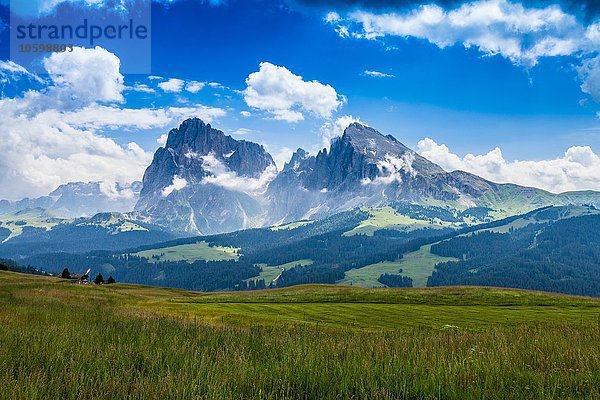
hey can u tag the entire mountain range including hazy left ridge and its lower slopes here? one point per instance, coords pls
(203, 182)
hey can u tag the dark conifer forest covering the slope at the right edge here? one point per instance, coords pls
(562, 256)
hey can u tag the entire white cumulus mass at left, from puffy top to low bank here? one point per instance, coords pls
(53, 136)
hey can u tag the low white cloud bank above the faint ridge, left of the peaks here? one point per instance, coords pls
(40, 152)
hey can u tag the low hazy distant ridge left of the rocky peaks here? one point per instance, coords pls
(80, 199)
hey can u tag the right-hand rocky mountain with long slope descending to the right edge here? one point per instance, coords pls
(366, 168)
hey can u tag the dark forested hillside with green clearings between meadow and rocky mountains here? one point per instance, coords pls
(369, 248)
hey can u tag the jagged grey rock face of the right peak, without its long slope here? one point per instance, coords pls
(362, 168)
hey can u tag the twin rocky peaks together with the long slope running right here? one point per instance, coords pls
(204, 182)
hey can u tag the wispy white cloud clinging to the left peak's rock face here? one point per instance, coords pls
(220, 175)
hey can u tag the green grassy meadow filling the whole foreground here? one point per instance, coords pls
(59, 340)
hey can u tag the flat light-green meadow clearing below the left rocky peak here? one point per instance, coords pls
(191, 253)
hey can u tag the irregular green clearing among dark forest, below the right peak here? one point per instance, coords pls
(418, 265)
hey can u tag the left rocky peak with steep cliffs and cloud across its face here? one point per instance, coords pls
(190, 185)
